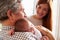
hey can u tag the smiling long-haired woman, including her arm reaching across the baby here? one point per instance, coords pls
(43, 17)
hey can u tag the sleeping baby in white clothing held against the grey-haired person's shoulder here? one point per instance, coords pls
(23, 25)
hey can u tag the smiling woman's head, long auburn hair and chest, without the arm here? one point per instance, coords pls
(43, 14)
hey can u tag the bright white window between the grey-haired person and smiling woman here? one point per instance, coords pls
(28, 6)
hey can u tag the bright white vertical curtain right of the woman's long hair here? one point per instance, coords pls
(55, 18)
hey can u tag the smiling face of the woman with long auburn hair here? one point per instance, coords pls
(42, 10)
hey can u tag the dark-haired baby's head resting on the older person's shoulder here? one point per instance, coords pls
(22, 25)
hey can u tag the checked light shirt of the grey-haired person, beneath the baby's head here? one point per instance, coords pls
(17, 36)
